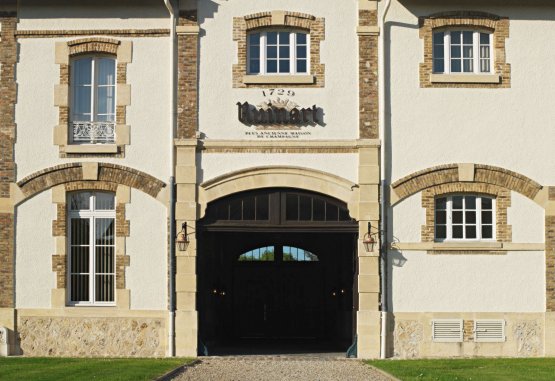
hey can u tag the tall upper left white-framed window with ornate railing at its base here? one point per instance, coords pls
(93, 100)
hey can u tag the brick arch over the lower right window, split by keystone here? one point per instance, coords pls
(450, 173)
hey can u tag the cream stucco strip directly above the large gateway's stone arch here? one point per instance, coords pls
(217, 164)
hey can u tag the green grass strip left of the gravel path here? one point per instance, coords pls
(75, 369)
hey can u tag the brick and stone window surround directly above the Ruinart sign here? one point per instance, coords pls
(314, 26)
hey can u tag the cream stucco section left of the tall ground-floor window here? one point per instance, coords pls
(35, 245)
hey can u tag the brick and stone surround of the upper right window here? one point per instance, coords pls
(499, 26)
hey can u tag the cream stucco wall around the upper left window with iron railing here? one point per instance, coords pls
(148, 115)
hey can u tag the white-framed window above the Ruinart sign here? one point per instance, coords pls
(278, 52)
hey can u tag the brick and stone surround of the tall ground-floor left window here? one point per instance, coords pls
(59, 232)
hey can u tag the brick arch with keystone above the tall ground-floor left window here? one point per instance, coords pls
(76, 172)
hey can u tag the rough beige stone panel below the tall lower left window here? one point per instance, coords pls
(92, 337)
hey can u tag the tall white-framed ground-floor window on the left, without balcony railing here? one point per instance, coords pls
(91, 231)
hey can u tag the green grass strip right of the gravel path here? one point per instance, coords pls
(482, 369)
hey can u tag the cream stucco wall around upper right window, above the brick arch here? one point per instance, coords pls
(510, 128)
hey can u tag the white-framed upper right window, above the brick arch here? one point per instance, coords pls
(462, 52)
